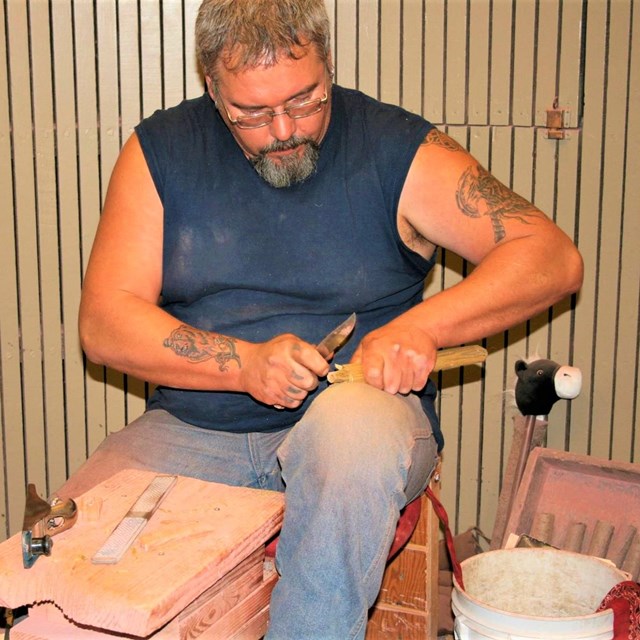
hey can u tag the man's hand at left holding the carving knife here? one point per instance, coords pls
(282, 371)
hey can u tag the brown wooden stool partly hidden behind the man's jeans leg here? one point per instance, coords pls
(407, 606)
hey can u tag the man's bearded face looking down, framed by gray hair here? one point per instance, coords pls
(285, 151)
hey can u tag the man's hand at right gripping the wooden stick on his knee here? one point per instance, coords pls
(397, 358)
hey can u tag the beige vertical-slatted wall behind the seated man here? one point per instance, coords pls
(75, 76)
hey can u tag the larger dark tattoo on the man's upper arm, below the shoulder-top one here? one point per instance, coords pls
(481, 194)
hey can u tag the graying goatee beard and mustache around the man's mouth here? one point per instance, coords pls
(287, 170)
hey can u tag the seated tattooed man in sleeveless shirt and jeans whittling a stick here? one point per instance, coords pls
(238, 229)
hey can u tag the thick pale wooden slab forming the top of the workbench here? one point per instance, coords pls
(199, 533)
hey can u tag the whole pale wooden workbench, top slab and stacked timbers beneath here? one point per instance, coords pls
(195, 571)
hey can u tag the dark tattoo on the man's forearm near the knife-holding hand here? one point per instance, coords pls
(198, 346)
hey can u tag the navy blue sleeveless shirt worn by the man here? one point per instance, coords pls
(251, 261)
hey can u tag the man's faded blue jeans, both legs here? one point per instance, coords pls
(347, 468)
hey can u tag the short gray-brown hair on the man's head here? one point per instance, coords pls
(247, 33)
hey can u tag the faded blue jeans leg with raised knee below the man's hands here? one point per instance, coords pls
(350, 465)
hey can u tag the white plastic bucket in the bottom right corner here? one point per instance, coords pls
(524, 594)
